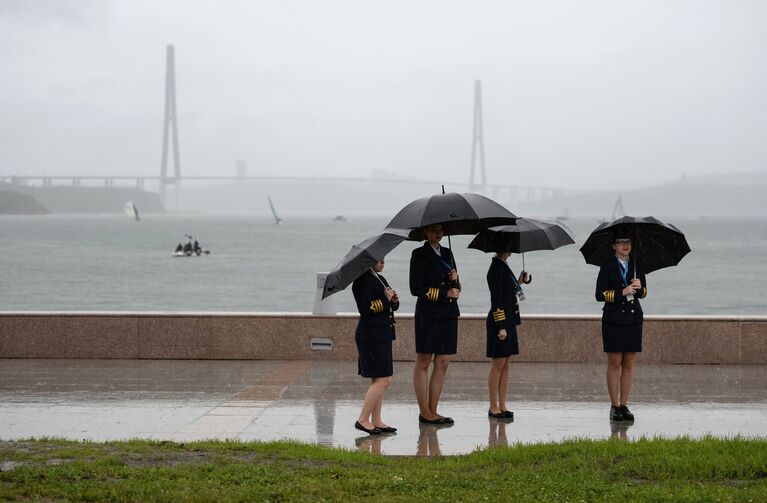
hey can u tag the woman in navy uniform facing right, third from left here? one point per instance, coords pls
(502, 321)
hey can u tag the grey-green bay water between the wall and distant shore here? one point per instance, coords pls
(112, 263)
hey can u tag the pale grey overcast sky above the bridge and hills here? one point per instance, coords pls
(579, 94)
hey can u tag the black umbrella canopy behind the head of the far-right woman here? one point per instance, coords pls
(655, 244)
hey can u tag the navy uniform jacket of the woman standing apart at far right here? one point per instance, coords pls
(610, 285)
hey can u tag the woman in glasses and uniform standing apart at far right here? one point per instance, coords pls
(620, 285)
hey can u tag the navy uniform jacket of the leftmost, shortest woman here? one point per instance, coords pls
(376, 322)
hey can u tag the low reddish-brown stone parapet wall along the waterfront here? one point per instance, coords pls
(288, 336)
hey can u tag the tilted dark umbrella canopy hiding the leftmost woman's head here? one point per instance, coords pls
(362, 257)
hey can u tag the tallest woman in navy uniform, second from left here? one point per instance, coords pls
(434, 281)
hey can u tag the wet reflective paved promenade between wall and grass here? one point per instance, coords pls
(318, 402)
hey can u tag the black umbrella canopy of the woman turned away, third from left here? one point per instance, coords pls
(524, 236)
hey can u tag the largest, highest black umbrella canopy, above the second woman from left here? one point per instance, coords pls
(466, 213)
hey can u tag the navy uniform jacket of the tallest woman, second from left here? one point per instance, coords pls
(429, 282)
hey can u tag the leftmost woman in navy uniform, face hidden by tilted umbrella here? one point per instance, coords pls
(376, 303)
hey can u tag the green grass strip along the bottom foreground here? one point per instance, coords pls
(710, 469)
